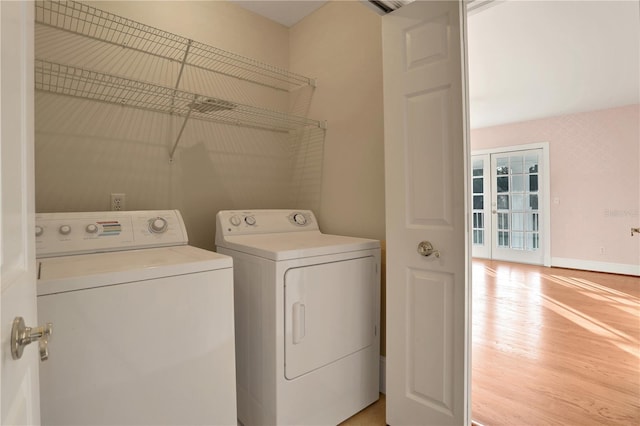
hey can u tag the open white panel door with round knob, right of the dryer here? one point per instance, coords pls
(426, 174)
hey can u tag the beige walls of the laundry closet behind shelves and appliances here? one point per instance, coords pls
(85, 150)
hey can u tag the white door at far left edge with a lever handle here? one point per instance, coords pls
(19, 378)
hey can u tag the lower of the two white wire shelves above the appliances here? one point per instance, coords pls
(82, 83)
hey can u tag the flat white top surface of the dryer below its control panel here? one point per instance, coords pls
(296, 245)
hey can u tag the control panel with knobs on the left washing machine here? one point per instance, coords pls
(59, 234)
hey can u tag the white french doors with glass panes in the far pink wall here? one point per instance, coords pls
(509, 205)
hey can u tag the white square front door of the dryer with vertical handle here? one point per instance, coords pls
(329, 313)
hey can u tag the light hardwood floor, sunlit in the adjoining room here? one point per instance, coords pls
(550, 347)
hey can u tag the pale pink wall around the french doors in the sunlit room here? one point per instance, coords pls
(595, 179)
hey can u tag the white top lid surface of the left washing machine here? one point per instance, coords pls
(68, 273)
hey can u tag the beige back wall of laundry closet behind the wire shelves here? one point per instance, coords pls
(86, 150)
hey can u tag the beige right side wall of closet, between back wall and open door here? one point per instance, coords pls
(341, 45)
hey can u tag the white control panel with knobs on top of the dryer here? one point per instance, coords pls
(232, 222)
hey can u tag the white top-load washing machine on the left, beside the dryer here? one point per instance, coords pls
(142, 322)
